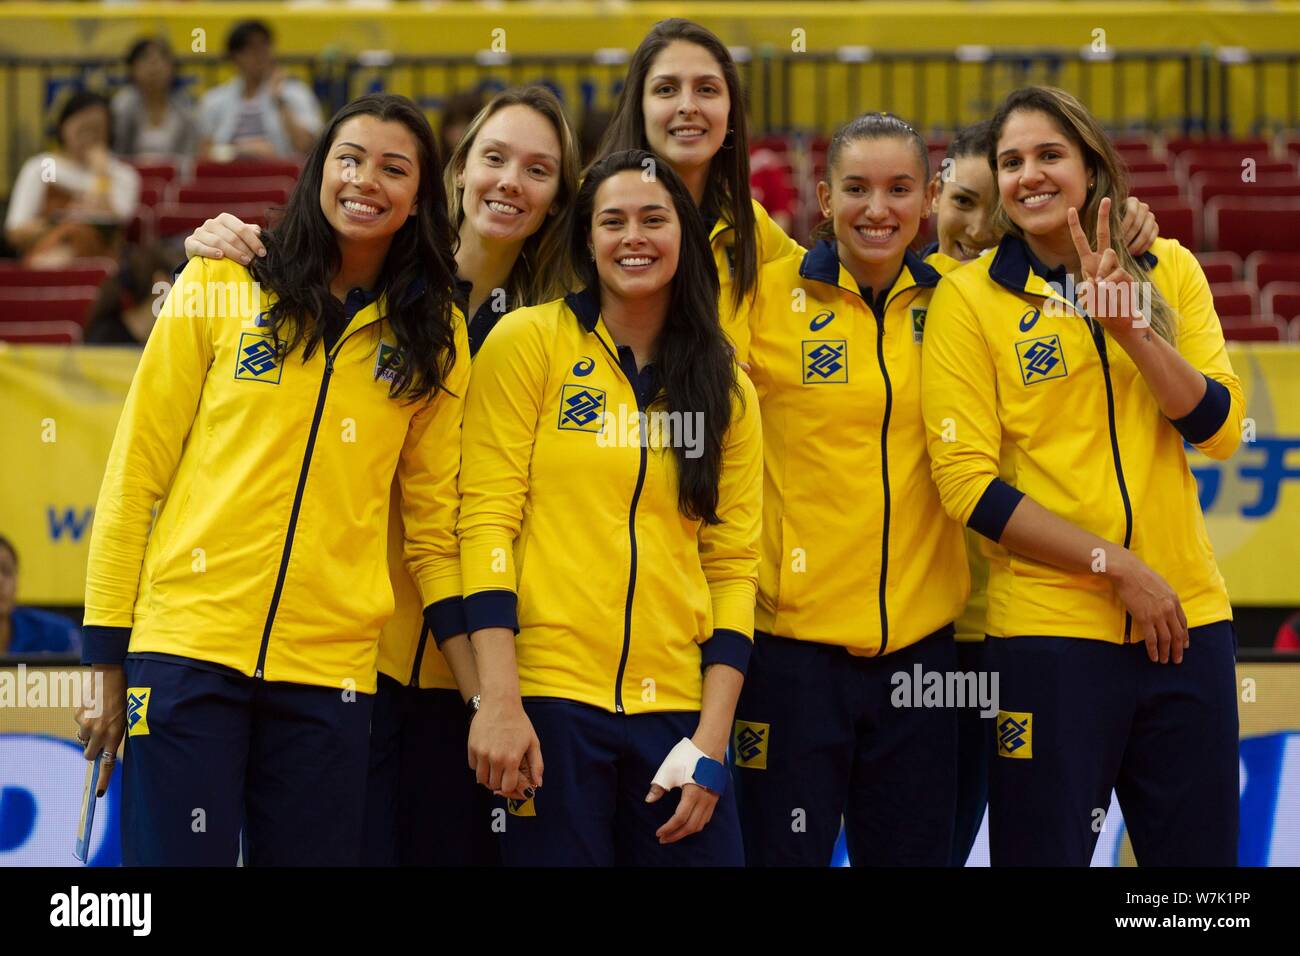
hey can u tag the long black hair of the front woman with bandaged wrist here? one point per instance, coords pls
(694, 361)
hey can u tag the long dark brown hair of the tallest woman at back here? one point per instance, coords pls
(727, 189)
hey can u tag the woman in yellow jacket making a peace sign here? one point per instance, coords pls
(1060, 380)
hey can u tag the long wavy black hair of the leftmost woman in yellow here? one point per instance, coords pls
(418, 274)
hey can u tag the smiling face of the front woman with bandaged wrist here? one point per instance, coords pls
(636, 236)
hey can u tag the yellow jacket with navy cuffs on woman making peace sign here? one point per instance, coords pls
(1025, 396)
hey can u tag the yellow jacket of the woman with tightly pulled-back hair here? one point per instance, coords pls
(857, 548)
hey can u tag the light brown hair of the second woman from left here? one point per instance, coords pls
(543, 270)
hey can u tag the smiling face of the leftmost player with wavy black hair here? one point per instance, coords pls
(371, 181)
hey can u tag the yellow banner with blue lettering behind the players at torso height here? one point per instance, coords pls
(62, 408)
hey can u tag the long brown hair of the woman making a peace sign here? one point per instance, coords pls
(1110, 181)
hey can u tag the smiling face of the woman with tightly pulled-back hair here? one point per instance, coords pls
(876, 201)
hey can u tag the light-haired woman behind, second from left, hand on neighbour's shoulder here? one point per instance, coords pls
(510, 185)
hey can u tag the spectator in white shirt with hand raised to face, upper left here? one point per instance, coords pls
(261, 114)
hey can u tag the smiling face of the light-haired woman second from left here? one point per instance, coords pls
(512, 176)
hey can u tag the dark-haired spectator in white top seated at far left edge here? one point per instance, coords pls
(75, 201)
